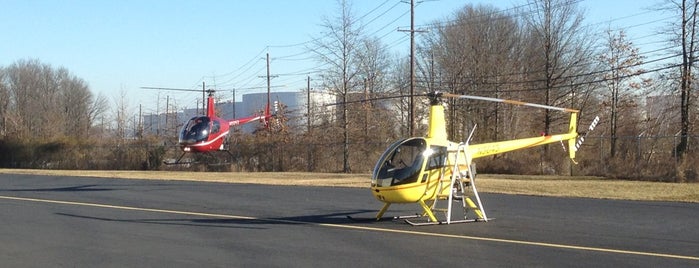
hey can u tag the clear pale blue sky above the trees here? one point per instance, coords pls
(120, 46)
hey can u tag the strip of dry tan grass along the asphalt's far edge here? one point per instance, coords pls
(593, 187)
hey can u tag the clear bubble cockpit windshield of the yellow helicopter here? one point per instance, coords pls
(401, 163)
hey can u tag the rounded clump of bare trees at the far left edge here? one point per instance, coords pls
(44, 112)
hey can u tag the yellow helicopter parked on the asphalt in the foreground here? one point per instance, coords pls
(431, 170)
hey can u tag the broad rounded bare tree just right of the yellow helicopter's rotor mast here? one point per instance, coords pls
(478, 52)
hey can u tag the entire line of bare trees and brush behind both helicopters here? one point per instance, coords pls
(541, 52)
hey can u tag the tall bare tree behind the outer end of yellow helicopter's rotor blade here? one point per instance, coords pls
(560, 50)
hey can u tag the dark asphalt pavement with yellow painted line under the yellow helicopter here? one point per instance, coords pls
(93, 222)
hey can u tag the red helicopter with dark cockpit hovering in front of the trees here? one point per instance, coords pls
(208, 133)
